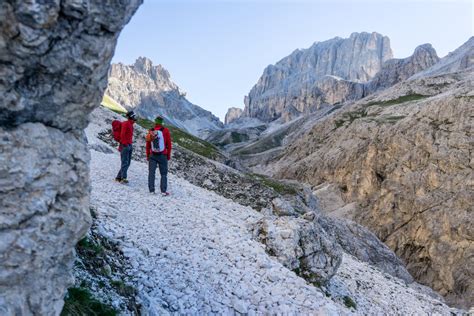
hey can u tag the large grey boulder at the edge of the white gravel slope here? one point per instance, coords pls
(301, 246)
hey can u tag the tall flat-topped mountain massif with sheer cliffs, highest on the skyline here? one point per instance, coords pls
(327, 72)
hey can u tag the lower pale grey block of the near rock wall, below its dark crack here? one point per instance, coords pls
(44, 198)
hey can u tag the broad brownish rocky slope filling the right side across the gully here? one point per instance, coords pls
(401, 163)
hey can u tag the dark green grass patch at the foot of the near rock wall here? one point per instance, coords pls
(79, 301)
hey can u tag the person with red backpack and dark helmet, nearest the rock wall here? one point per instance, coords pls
(125, 148)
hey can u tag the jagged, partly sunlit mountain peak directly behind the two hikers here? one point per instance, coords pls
(149, 91)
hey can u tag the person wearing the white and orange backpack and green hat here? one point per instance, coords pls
(158, 152)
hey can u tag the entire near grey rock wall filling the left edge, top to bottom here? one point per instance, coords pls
(54, 58)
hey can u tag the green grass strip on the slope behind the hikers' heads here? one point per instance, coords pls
(187, 140)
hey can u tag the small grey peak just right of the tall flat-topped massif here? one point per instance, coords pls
(397, 70)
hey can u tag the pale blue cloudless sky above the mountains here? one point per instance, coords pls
(217, 50)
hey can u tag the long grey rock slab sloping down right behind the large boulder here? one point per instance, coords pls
(364, 245)
